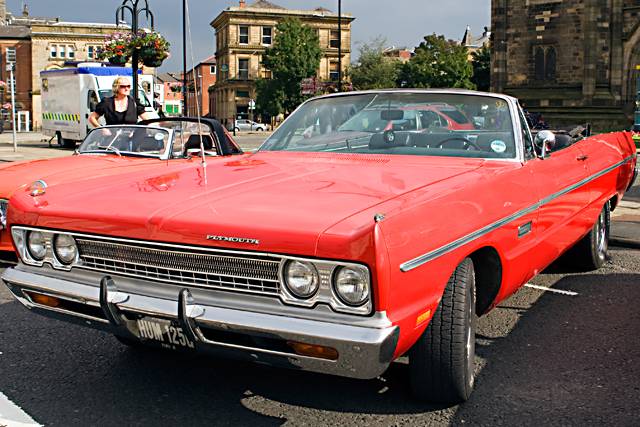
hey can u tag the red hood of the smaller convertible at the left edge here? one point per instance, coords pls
(65, 169)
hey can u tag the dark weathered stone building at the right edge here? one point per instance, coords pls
(572, 60)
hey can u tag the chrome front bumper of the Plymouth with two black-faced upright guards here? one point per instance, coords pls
(365, 350)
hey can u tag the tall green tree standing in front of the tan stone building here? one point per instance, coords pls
(295, 55)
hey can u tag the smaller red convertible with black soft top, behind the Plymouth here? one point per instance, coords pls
(118, 150)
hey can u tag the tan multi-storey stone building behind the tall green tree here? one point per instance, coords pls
(244, 32)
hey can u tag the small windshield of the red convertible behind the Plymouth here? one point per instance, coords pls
(127, 140)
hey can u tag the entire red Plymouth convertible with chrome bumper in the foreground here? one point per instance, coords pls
(334, 252)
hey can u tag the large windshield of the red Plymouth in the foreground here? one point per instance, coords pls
(406, 123)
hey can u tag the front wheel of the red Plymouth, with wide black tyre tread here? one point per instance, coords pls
(441, 362)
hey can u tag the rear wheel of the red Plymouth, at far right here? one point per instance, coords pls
(591, 252)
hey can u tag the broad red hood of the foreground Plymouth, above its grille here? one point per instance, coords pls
(283, 200)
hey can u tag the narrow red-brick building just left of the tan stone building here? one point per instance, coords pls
(200, 82)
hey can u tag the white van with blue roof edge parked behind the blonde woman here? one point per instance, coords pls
(69, 95)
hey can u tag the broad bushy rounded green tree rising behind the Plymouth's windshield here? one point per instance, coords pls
(437, 63)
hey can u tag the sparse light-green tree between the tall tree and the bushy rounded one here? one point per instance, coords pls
(374, 70)
